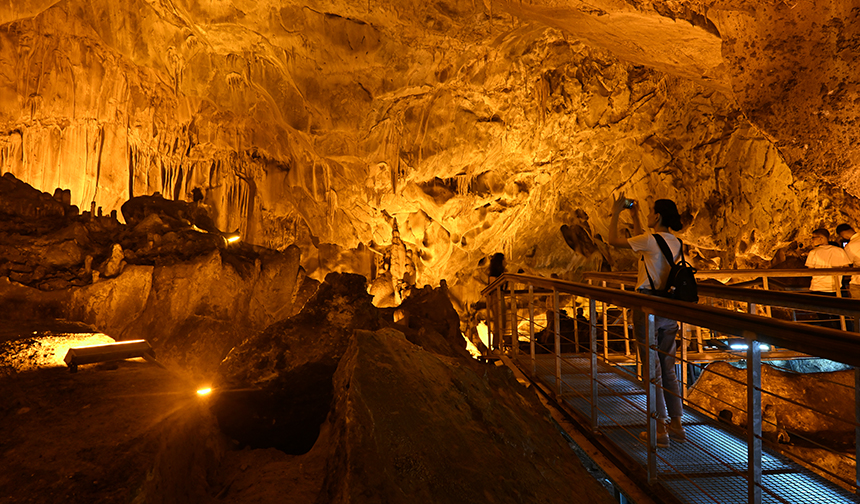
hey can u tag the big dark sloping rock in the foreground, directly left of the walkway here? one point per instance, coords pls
(430, 428)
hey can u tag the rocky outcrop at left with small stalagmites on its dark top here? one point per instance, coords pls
(188, 292)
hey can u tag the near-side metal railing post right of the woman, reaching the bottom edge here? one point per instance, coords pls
(753, 419)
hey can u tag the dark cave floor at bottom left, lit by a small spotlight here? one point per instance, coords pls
(111, 432)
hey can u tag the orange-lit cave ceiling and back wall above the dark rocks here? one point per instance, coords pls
(477, 125)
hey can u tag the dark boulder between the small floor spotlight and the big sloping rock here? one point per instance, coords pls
(275, 389)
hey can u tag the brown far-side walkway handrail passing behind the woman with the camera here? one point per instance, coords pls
(801, 301)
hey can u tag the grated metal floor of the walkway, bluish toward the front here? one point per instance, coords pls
(690, 471)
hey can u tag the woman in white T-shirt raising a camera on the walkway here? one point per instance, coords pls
(653, 274)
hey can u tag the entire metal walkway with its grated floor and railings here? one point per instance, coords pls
(720, 463)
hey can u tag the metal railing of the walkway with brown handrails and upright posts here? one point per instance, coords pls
(508, 293)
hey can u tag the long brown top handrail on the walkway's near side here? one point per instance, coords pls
(823, 342)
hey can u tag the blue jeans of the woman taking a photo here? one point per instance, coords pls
(663, 370)
